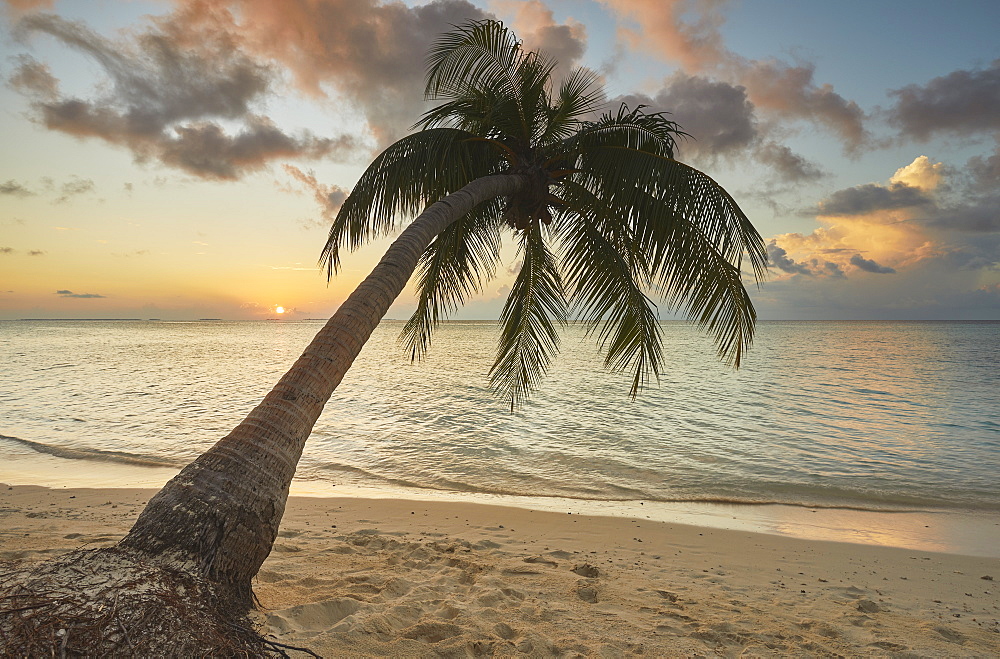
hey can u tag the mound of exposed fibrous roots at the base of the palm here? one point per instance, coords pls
(114, 602)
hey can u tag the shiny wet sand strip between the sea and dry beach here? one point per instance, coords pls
(973, 533)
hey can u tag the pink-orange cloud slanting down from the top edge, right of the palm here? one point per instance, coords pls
(688, 33)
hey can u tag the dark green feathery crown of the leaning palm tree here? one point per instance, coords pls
(605, 217)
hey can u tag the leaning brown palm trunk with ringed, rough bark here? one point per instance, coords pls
(220, 514)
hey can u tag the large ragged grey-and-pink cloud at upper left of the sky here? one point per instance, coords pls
(170, 86)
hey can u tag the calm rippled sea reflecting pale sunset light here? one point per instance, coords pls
(870, 415)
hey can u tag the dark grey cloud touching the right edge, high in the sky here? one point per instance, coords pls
(961, 103)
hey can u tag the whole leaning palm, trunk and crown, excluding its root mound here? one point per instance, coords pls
(603, 215)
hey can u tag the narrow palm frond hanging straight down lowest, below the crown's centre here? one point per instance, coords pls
(528, 337)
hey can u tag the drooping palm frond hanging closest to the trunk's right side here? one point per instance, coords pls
(451, 269)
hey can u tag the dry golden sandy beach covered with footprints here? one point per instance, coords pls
(352, 577)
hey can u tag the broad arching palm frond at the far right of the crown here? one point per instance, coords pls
(692, 234)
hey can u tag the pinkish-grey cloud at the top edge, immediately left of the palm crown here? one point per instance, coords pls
(367, 52)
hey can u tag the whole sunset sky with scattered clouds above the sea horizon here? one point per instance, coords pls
(182, 159)
